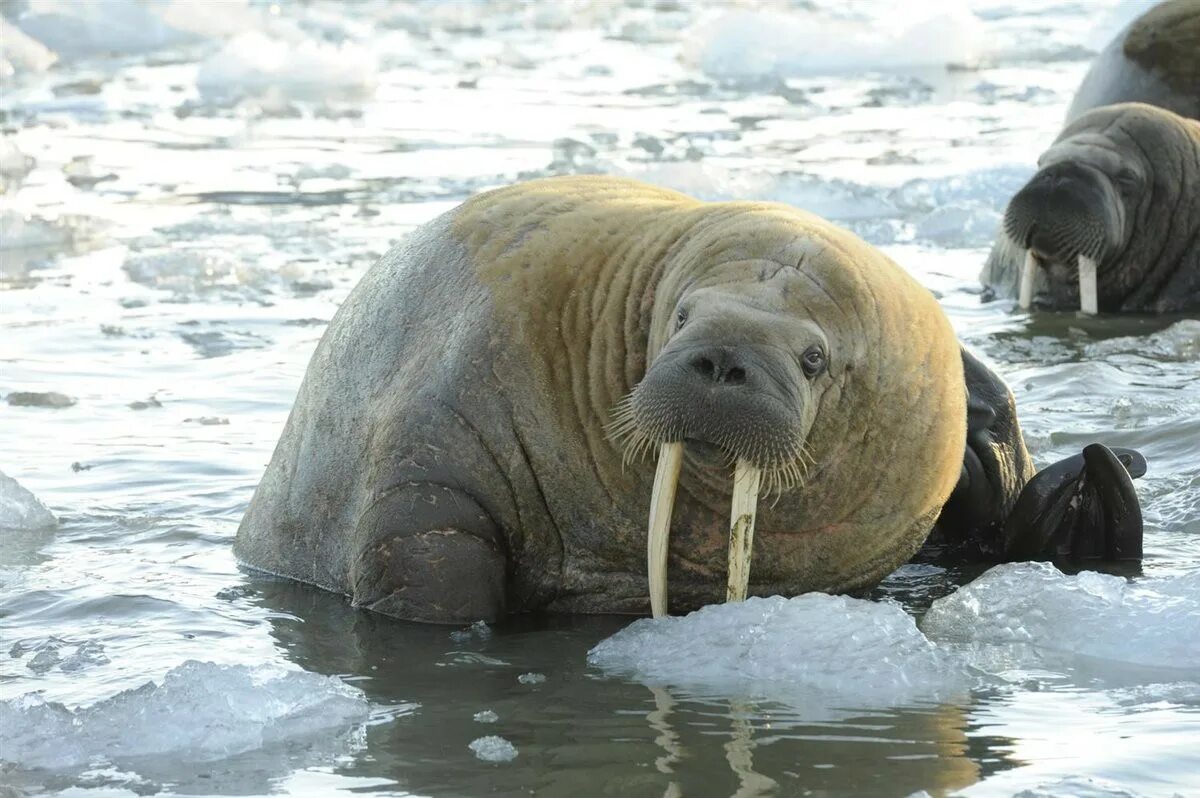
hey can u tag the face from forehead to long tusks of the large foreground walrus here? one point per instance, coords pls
(737, 383)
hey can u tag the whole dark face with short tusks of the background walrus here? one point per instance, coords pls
(1073, 217)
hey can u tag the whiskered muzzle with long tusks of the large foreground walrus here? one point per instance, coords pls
(736, 406)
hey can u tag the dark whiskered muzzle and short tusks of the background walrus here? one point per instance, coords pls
(1067, 214)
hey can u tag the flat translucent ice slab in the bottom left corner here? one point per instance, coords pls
(201, 712)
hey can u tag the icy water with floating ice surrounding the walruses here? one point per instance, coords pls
(193, 189)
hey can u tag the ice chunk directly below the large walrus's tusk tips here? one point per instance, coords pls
(787, 649)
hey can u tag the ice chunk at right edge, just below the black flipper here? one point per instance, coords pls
(1150, 622)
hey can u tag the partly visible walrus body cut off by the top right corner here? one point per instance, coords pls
(1155, 61)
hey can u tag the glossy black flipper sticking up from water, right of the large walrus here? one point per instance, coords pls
(1083, 508)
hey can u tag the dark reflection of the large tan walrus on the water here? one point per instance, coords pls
(579, 734)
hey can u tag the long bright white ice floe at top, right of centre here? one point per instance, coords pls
(755, 45)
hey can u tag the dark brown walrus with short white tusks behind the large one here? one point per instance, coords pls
(1111, 223)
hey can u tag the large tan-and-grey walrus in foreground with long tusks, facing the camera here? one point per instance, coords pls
(553, 398)
